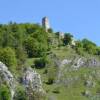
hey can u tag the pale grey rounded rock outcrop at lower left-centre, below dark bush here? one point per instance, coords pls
(32, 78)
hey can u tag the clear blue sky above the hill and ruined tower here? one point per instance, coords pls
(79, 17)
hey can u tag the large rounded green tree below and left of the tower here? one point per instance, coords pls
(36, 44)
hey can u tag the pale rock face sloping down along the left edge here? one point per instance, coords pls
(8, 77)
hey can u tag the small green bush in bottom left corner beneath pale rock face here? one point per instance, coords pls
(4, 93)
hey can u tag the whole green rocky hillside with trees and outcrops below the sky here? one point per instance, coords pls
(39, 64)
